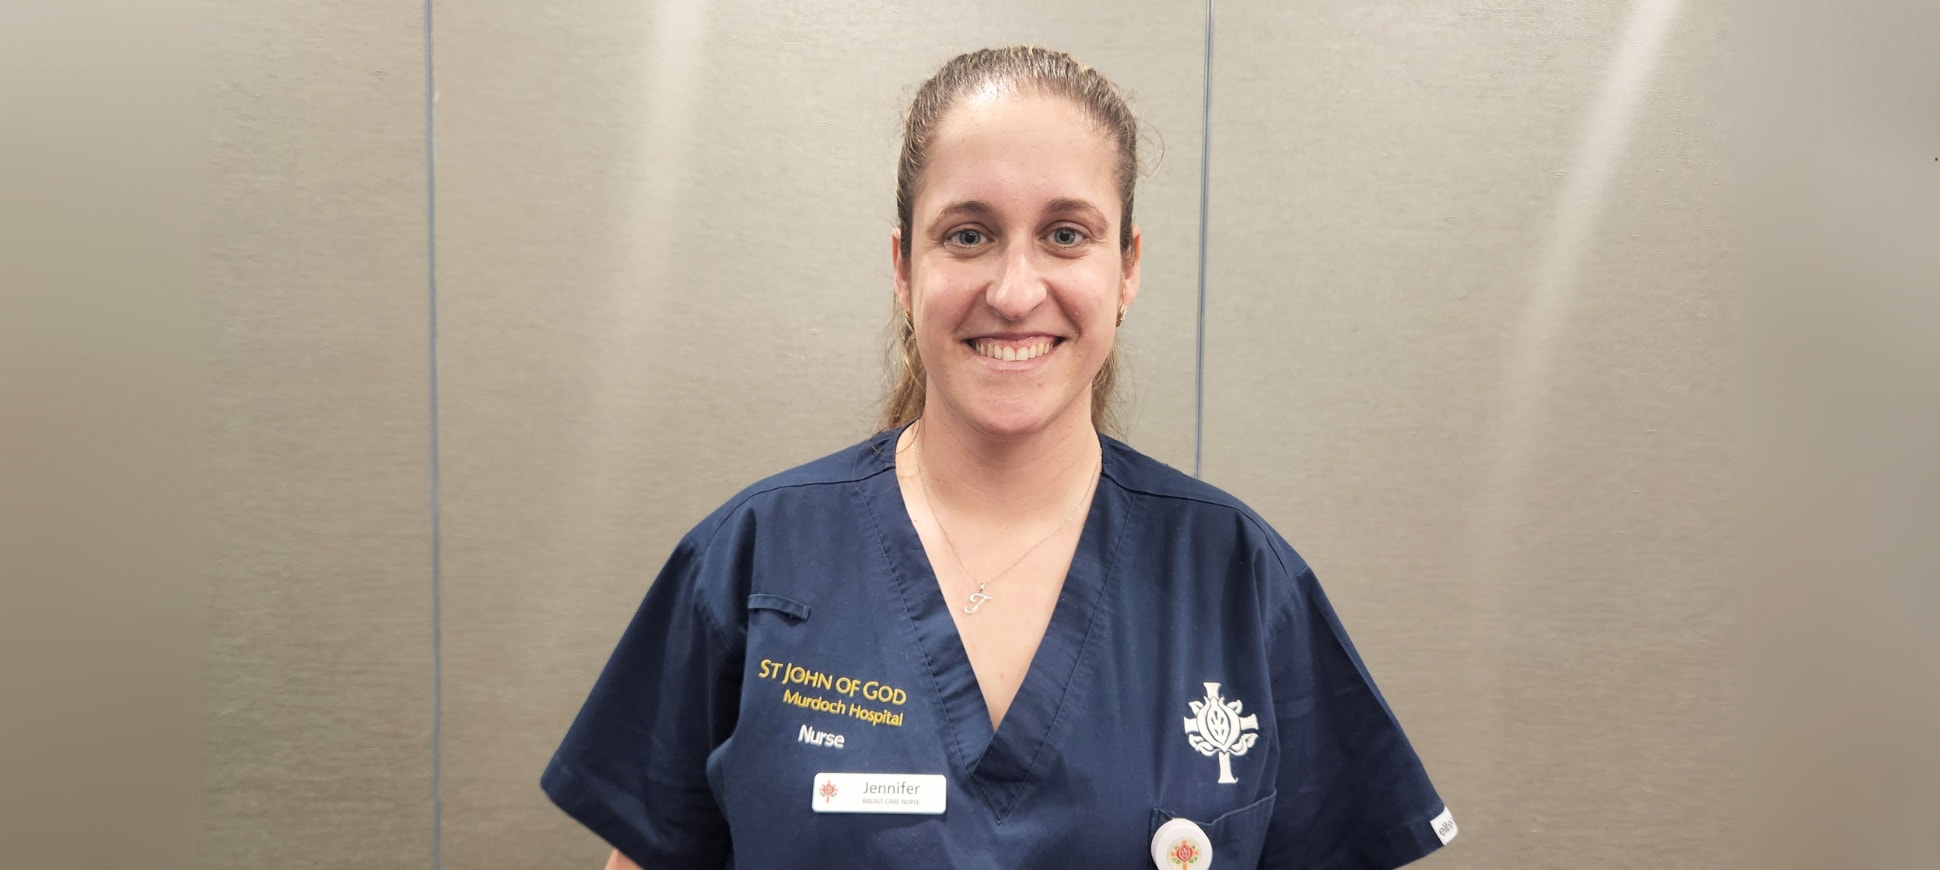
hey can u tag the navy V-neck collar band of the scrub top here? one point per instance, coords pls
(1000, 764)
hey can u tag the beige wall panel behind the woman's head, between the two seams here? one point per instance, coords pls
(664, 273)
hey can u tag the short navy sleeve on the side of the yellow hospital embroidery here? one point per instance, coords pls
(635, 764)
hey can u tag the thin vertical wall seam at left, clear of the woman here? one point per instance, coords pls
(437, 624)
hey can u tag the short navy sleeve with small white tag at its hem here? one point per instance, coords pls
(1351, 791)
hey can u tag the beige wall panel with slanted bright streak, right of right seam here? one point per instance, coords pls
(1471, 345)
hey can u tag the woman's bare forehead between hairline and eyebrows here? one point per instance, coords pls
(1018, 151)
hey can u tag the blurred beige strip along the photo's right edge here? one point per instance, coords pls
(1844, 187)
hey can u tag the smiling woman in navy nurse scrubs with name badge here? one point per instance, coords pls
(992, 636)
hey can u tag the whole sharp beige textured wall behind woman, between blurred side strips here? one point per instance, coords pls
(1471, 345)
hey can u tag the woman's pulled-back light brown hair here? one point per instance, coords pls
(1016, 69)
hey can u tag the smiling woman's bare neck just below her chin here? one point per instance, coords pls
(1014, 479)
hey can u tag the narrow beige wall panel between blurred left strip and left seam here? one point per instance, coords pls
(317, 677)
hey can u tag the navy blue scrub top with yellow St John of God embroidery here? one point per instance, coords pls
(1192, 669)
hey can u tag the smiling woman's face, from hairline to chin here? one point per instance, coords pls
(1016, 277)
